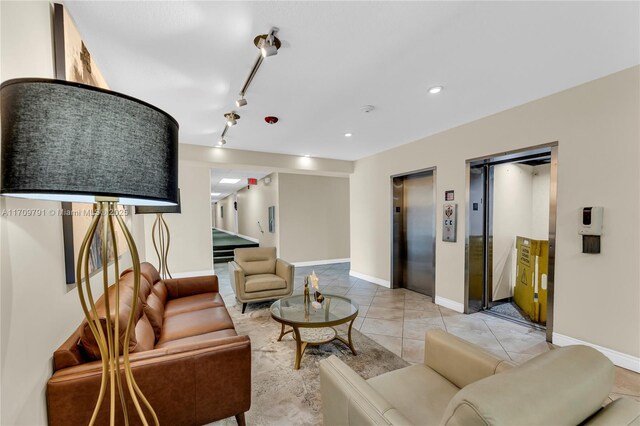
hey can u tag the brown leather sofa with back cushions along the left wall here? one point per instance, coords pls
(185, 354)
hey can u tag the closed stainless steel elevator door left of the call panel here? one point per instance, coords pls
(418, 234)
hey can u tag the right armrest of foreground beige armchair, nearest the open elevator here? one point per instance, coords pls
(459, 361)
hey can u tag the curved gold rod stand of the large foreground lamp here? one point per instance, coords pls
(109, 342)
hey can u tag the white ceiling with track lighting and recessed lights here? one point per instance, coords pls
(191, 59)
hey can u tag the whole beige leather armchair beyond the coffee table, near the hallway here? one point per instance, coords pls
(256, 275)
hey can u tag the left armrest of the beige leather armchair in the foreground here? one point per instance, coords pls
(347, 399)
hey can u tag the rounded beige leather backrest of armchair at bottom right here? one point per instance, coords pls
(563, 386)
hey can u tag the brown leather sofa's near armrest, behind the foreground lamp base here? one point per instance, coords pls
(212, 378)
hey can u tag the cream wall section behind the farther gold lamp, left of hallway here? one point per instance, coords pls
(191, 244)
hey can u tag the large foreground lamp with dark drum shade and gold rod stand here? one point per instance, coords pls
(70, 142)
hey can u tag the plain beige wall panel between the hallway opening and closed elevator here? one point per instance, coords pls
(313, 217)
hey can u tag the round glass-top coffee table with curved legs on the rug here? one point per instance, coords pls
(314, 326)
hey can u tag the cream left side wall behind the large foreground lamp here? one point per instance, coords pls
(37, 309)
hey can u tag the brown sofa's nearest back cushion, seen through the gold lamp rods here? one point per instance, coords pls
(87, 339)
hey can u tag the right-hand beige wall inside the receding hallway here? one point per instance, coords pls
(253, 205)
